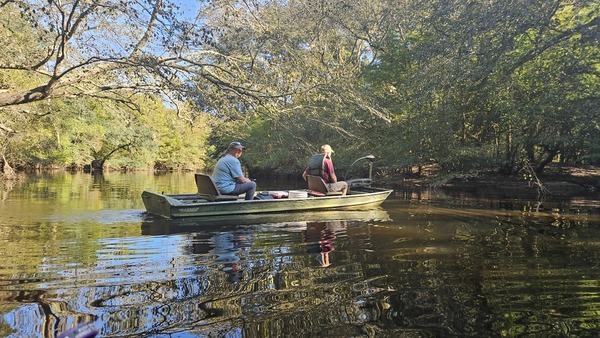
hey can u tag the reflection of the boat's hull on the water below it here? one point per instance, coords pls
(288, 221)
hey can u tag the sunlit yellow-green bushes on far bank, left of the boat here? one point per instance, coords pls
(84, 132)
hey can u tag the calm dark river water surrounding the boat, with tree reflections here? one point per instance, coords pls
(78, 248)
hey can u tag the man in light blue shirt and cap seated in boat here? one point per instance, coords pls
(228, 175)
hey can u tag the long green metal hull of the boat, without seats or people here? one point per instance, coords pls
(189, 205)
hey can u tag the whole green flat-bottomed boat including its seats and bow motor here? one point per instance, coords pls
(209, 202)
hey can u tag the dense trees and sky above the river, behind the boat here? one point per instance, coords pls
(466, 86)
